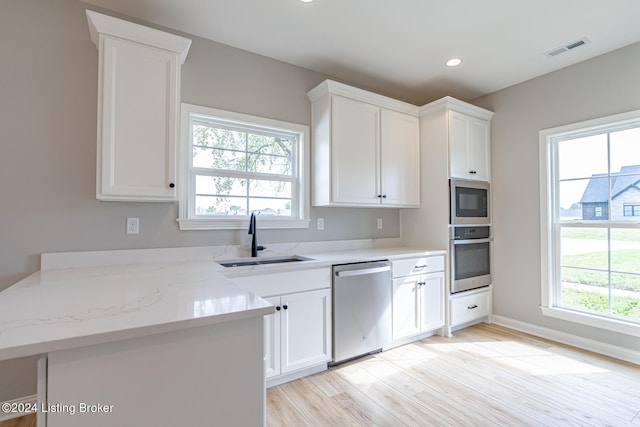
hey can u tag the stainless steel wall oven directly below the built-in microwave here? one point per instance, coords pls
(470, 258)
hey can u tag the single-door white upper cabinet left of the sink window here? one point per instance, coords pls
(138, 108)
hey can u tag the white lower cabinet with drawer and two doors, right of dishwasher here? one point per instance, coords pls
(418, 297)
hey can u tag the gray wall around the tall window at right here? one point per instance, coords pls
(596, 88)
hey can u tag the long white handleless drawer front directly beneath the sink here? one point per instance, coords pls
(269, 284)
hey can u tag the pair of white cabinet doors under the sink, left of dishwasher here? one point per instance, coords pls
(298, 335)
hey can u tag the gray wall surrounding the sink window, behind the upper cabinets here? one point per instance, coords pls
(48, 104)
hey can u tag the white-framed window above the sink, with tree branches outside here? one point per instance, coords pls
(234, 164)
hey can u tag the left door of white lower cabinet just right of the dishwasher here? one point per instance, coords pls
(406, 314)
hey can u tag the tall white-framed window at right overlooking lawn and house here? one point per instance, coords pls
(590, 187)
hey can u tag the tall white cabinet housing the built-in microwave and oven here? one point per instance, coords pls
(455, 143)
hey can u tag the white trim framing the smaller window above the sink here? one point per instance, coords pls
(225, 223)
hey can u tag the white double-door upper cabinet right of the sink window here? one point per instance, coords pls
(365, 149)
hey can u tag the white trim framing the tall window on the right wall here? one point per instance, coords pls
(549, 247)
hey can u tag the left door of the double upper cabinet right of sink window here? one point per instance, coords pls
(355, 156)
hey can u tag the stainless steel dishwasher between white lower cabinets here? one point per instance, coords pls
(361, 309)
